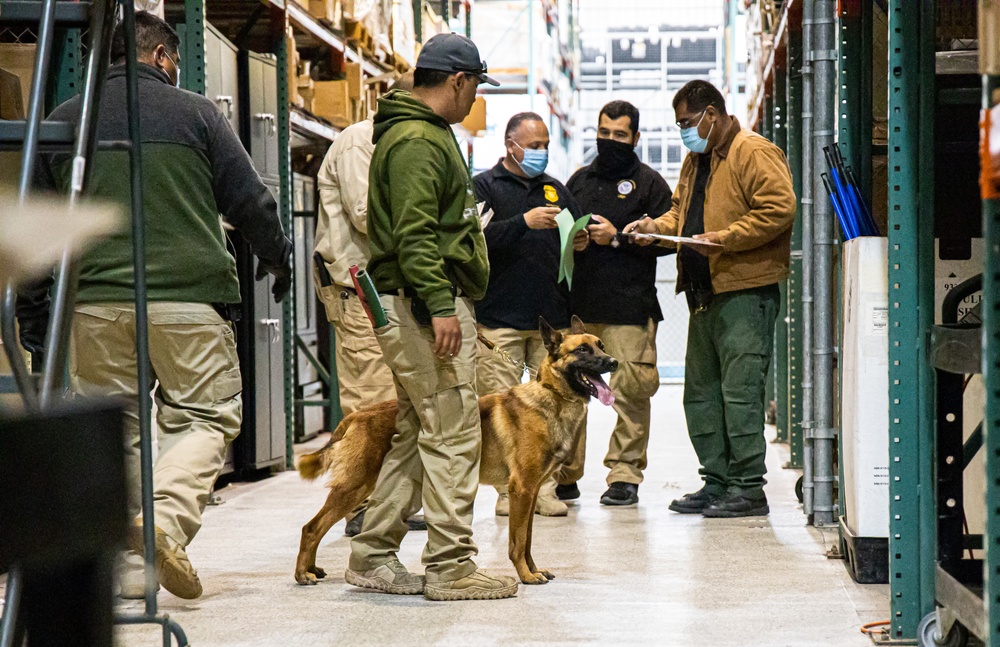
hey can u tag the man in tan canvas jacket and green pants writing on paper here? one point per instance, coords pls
(735, 190)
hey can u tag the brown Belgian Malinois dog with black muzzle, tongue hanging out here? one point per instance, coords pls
(527, 433)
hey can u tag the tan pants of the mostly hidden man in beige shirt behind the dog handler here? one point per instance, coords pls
(362, 373)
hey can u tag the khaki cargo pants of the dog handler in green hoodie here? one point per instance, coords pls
(434, 458)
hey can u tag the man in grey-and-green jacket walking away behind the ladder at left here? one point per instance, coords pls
(194, 168)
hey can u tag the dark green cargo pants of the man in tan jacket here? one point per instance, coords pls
(728, 353)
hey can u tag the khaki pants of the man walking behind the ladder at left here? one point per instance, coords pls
(192, 352)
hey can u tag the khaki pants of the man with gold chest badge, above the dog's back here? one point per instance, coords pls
(495, 374)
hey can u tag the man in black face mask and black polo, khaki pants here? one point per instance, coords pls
(614, 292)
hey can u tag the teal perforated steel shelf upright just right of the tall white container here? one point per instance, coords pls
(912, 525)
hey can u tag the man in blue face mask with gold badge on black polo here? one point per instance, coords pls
(522, 240)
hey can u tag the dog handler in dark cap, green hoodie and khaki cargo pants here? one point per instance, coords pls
(429, 263)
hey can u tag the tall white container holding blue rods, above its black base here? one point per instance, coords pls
(865, 405)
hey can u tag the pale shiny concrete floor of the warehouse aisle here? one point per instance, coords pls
(636, 576)
